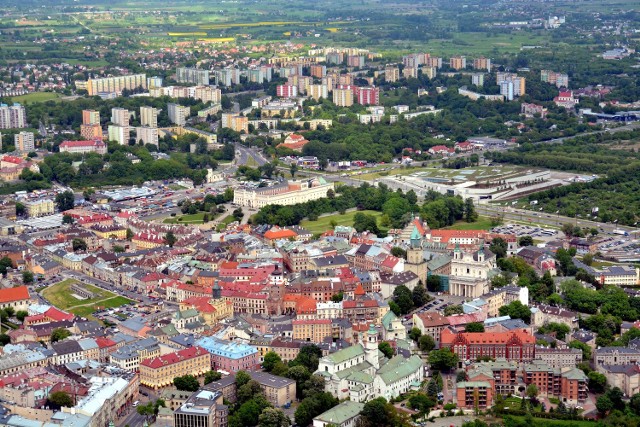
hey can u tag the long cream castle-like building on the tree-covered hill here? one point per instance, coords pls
(288, 193)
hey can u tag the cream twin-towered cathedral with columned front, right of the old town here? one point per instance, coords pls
(470, 272)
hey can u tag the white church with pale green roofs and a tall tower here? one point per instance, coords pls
(361, 372)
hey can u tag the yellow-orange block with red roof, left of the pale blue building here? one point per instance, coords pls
(160, 371)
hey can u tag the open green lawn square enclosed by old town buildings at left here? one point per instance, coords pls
(62, 296)
